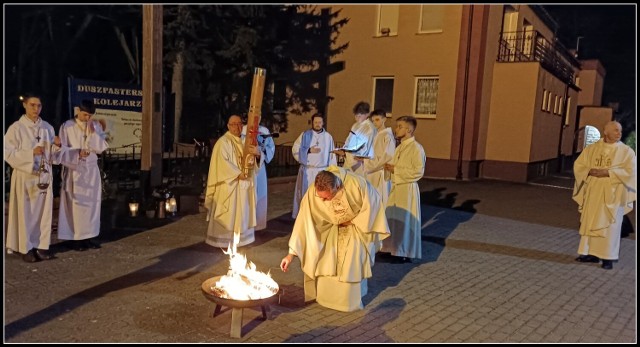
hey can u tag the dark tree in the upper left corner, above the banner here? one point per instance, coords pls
(57, 41)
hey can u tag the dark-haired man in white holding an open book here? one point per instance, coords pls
(359, 142)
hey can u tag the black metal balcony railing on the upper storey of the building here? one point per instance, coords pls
(531, 46)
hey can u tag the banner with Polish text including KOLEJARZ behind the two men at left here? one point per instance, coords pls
(118, 109)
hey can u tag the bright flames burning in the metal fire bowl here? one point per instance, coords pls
(242, 281)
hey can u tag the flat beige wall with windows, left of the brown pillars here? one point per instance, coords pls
(404, 56)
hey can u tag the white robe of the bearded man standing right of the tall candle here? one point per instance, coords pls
(312, 163)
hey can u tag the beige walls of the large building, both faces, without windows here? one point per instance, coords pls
(505, 124)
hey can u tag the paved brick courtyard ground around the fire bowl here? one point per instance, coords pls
(498, 266)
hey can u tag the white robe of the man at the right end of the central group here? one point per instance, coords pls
(403, 207)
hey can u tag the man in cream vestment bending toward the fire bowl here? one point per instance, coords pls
(335, 236)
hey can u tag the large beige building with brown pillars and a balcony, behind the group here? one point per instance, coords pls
(494, 93)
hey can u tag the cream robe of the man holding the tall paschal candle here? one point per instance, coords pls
(230, 201)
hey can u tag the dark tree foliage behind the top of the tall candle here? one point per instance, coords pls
(222, 44)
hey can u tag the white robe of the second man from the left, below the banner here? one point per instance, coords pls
(81, 191)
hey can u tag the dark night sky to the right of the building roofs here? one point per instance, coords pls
(608, 34)
